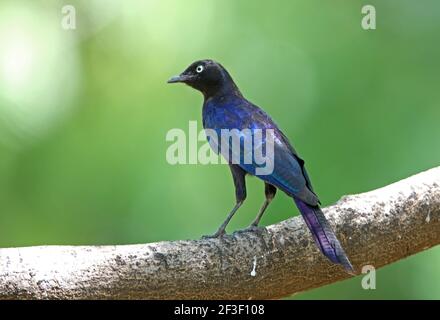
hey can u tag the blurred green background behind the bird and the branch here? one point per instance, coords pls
(84, 114)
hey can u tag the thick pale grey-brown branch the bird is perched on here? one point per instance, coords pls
(376, 228)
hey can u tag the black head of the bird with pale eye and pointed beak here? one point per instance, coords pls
(207, 76)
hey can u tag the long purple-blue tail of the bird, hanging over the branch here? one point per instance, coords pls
(323, 234)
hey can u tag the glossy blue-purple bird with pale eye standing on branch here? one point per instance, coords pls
(225, 107)
